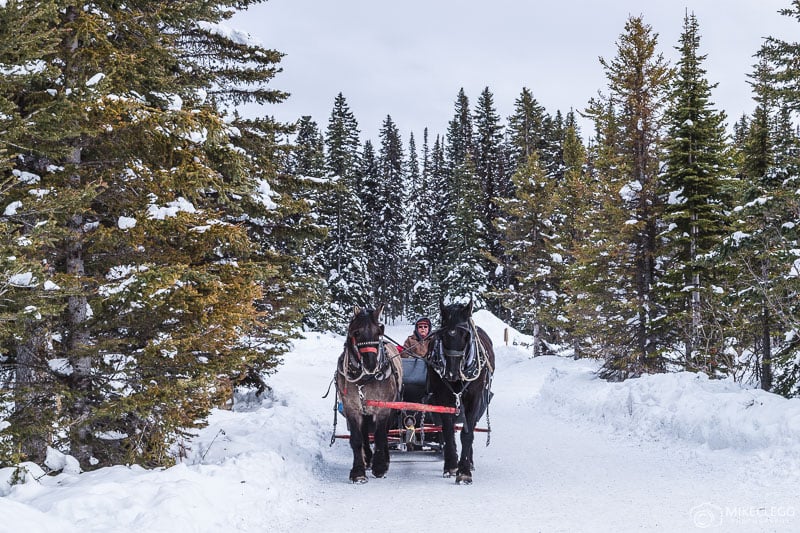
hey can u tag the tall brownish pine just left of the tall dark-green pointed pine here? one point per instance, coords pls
(619, 270)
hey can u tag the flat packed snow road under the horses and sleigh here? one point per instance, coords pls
(548, 471)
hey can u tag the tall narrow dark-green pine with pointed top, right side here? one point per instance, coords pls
(696, 164)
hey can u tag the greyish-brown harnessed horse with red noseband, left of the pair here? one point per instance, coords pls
(368, 369)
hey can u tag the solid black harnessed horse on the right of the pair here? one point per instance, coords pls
(462, 359)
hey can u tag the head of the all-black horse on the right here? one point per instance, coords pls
(453, 351)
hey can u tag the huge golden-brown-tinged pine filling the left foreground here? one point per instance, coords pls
(144, 210)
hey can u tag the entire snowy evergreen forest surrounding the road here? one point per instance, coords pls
(159, 248)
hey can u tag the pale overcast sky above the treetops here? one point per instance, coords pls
(409, 58)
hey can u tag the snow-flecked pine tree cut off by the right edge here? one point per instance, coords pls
(766, 234)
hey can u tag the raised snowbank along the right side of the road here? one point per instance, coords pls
(715, 413)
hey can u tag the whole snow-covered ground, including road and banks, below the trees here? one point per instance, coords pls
(568, 453)
